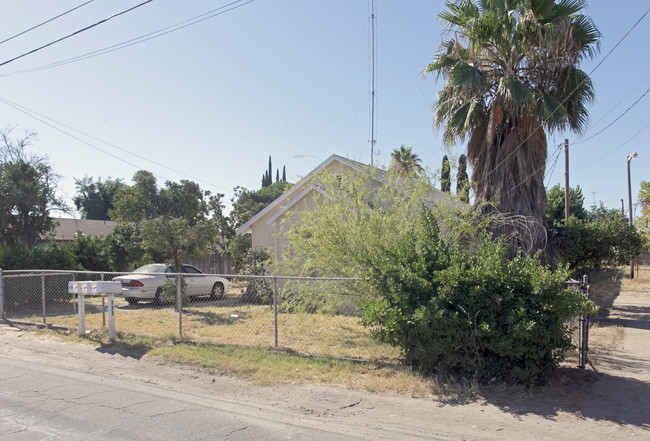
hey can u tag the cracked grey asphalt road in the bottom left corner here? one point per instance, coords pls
(40, 402)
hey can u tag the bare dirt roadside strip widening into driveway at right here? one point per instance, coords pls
(608, 400)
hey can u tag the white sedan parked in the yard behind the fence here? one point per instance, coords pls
(145, 283)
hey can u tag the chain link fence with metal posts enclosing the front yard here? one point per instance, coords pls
(316, 316)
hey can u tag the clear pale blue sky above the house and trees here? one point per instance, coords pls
(287, 78)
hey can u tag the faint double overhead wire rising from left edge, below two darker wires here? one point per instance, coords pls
(141, 39)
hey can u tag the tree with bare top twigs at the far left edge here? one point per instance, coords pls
(27, 192)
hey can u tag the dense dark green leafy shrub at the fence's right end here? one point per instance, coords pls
(477, 314)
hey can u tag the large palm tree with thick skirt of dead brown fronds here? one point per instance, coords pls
(511, 72)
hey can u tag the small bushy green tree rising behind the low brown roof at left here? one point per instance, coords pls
(94, 200)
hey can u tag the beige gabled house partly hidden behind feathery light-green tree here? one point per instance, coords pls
(265, 227)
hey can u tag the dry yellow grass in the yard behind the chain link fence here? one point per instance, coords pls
(242, 325)
